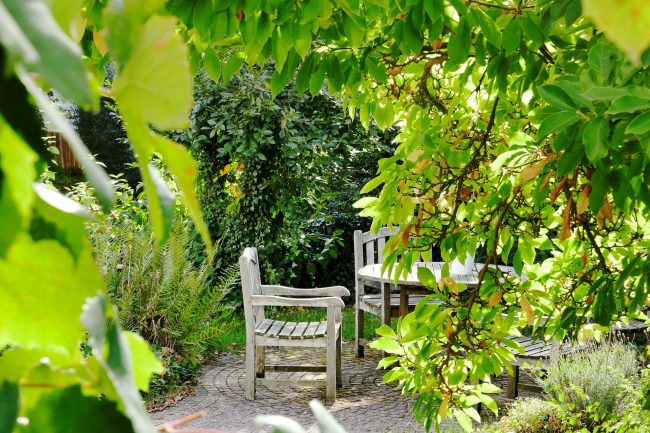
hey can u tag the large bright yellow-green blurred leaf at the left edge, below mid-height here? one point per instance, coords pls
(37, 273)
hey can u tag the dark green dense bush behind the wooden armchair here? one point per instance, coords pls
(282, 174)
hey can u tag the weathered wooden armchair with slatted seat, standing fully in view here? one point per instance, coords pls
(262, 332)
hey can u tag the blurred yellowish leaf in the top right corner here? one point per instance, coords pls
(625, 23)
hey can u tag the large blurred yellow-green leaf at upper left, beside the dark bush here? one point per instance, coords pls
(156, 86)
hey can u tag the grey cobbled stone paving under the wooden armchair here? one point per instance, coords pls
(363, 405)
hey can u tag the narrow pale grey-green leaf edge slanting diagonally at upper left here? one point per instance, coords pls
(93, 171)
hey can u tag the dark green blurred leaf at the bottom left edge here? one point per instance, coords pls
(69, 411)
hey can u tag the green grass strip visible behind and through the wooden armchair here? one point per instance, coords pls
(233, 336)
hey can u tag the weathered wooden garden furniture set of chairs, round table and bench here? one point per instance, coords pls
(263, 332)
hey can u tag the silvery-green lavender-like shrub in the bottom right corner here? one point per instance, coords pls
(594, 375)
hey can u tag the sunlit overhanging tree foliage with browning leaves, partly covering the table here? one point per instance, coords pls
(523, 128)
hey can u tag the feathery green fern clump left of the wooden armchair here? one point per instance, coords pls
(159, 292)
